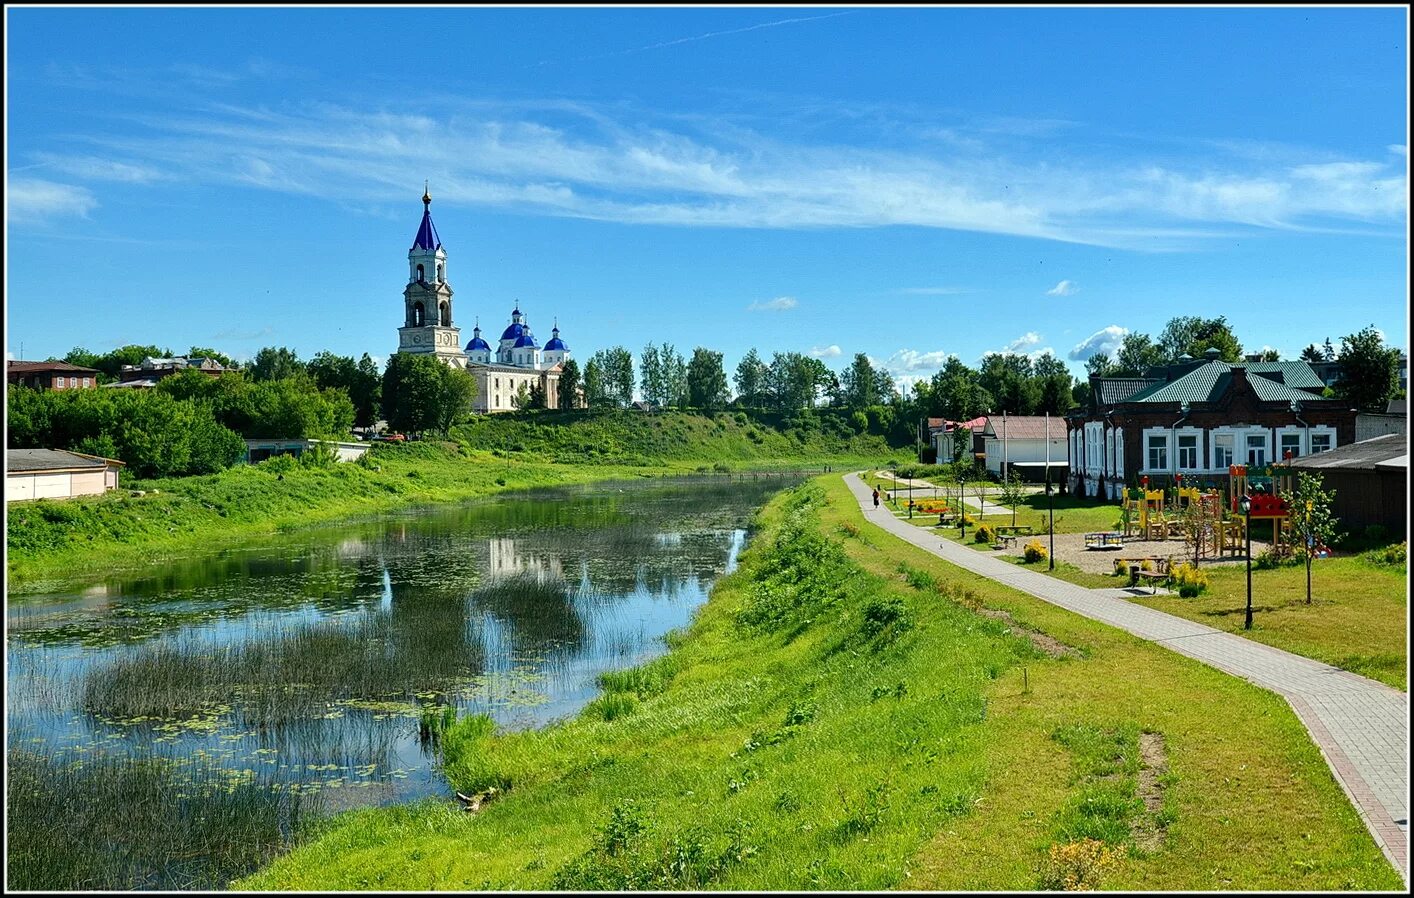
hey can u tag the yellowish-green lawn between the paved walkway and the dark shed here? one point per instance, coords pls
(1358, 619)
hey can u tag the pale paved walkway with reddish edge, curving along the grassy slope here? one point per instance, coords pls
(1361, 726)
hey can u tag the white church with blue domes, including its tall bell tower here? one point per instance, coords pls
(518, 363)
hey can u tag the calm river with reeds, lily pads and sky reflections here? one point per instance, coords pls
(310, 674)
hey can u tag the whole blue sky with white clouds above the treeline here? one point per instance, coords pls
(907, 183)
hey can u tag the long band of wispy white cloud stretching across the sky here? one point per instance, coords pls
(575, 161)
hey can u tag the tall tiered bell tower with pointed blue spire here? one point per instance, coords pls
(428, 325)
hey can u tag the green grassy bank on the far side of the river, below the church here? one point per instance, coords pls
(53, 542)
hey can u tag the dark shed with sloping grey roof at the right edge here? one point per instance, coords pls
(1371, 482)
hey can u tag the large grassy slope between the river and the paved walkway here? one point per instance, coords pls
(852, 713)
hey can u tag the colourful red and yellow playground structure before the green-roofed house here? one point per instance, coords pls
(1211, 524)
